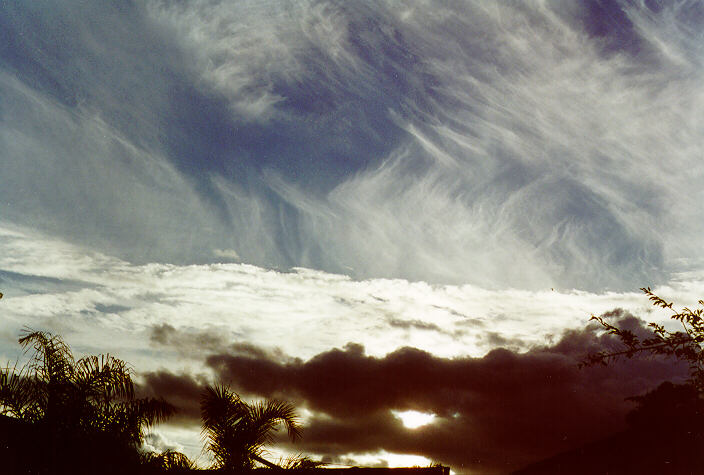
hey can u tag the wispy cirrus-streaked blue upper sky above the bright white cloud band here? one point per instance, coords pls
(506, 146)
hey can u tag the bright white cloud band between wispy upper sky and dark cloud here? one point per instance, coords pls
(106, 304)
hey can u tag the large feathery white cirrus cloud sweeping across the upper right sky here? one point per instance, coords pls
(523, 165)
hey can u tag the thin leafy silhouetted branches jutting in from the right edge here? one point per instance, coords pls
(685, 344)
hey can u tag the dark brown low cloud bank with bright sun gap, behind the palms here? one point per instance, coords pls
(494, 413)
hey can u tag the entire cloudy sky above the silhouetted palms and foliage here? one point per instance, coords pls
(365, 208)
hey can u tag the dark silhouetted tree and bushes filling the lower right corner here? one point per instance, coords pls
(666, 428)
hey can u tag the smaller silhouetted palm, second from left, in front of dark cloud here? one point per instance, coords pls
(236, 432)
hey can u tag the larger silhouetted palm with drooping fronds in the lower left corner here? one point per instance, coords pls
(85, 407)
